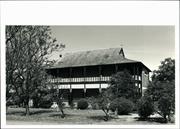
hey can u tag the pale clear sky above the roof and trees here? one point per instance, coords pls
(148, 44)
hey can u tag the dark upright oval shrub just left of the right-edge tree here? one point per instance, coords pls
(145, 107)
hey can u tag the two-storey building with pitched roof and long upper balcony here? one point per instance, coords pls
(87, 73)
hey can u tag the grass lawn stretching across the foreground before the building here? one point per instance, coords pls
(73, 116)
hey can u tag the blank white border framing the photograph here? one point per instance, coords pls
(88, 13)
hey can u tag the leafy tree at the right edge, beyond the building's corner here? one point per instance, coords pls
(163, 96)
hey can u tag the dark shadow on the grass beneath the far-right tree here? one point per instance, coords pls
(157, 119)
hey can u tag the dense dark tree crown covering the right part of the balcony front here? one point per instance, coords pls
(122, 85)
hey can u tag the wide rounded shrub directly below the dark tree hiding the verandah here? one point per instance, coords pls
(123, 106)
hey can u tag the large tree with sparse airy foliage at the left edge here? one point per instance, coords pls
(27, 52)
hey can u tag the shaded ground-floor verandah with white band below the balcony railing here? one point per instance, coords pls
(72, 93)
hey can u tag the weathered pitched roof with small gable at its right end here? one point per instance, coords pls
(94, 57)
